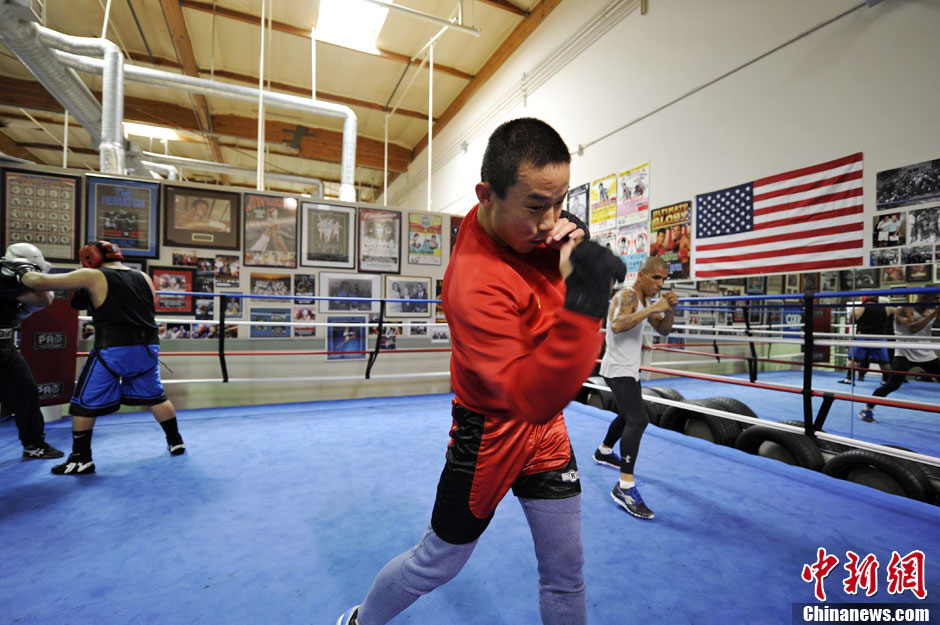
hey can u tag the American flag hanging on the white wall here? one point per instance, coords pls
(803, 220)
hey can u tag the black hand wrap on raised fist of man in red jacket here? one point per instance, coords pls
(595, 269)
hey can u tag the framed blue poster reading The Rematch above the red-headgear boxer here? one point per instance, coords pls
(123, 212)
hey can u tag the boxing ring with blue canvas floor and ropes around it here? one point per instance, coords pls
(277, 513)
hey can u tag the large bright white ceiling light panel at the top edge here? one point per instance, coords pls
(351, 23)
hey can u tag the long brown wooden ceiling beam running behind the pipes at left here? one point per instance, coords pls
(317, 144)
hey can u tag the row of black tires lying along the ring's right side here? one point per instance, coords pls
(886, 473)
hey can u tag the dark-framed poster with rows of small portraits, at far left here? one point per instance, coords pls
(41, 209)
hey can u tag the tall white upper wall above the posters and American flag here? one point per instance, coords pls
(866, 82)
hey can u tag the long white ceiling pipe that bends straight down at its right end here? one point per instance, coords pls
(159, 78)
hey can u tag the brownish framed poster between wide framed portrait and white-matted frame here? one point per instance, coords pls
(270, 231)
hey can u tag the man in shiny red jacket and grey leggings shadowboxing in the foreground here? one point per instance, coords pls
(524, 296)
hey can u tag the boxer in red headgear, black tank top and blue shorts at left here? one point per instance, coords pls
(123, 367)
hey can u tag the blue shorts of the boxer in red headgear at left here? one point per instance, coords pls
(112, 376)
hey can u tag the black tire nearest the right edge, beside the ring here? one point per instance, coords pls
(886, 473)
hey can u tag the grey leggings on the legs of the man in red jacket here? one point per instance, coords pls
(556, 531)
